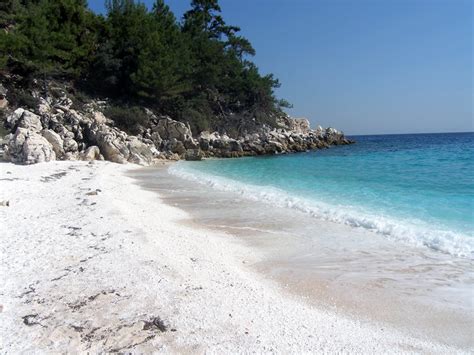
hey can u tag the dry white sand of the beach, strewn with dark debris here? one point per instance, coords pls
(91, 269)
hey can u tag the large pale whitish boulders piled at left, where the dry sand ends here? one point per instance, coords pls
(57, 131)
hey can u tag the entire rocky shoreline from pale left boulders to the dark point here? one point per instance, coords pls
(57, 131)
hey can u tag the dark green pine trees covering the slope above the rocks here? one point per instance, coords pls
(196, 70)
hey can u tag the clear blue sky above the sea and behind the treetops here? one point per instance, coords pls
(363, 66)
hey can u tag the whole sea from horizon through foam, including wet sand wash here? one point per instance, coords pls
(381, 230)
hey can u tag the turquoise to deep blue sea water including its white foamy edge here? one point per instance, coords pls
(416, 189)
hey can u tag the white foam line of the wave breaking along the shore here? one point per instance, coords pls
(413, 232)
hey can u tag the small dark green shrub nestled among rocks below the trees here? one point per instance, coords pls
(127, 118)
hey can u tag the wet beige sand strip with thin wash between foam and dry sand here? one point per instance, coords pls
(346, 269)
